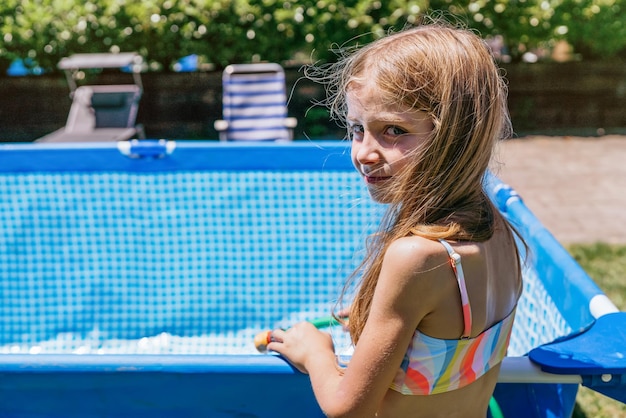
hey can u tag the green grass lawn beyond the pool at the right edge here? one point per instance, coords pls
(606, 264)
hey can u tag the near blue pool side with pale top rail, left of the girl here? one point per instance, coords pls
(156, 386)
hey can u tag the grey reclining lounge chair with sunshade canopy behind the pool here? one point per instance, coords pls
(101, 113)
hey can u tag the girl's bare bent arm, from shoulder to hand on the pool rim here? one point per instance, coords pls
(404, 295)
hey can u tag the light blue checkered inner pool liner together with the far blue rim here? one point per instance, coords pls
(183, 258)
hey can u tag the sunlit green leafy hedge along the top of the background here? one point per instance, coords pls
(228, 31)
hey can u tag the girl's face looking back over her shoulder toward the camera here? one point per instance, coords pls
(383, 136)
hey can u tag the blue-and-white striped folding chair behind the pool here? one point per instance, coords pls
(254, 104)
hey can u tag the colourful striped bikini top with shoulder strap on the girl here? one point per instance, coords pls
(432, 365)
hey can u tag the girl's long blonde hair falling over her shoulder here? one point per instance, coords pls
(451, 74)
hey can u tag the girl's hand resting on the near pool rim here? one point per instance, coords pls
(300, 343)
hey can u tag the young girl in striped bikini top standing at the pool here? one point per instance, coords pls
(433, 314)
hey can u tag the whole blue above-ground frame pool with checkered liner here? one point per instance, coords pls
(134, 276)
